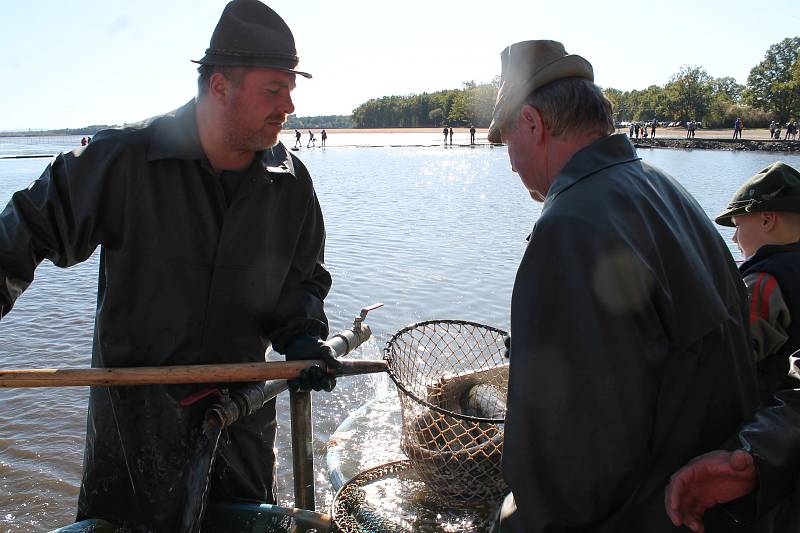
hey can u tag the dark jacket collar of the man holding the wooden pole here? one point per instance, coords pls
(175, 136)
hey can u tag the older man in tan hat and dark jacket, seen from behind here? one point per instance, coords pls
(629, 344)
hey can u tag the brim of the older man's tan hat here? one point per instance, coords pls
(569, 66)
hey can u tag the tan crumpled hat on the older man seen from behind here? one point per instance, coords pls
(527, 66)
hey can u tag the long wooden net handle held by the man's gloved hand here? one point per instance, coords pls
(165, 375)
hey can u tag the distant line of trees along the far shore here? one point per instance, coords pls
(772, 92)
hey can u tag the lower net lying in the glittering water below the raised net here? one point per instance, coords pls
(391, 498)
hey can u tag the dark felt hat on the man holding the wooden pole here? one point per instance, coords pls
(250, 34)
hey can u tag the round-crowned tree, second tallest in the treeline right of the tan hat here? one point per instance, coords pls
(688, 94)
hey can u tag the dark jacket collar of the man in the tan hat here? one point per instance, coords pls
(603, 153)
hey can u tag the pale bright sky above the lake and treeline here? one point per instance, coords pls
(69, 64)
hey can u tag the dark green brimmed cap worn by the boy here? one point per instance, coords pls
(776, 188)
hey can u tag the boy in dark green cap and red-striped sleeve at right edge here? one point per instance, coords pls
(766, 214)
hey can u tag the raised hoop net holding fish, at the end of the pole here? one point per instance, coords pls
(452, 378)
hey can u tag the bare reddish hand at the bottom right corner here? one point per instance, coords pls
(708, 480)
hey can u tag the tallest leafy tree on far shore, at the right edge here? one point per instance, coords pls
(767, 87)
